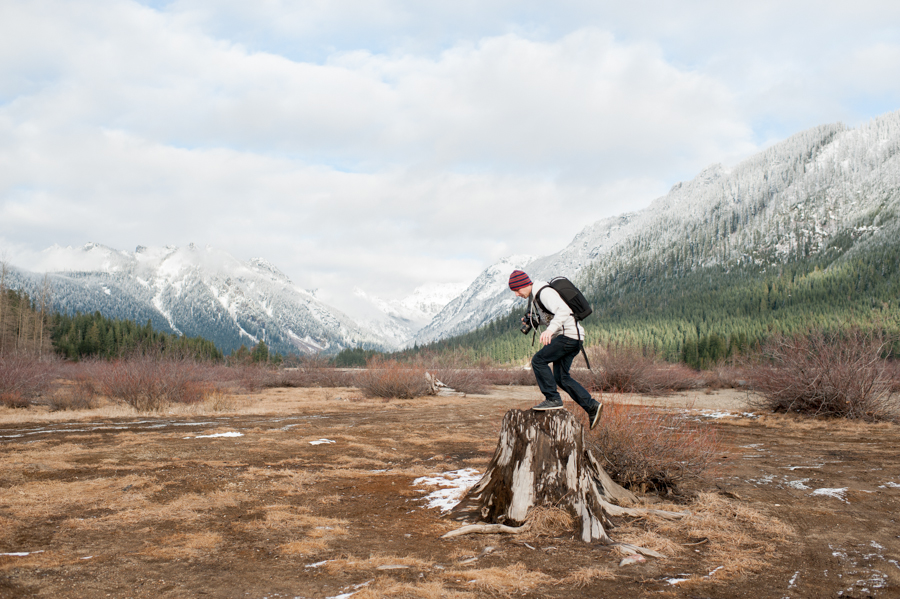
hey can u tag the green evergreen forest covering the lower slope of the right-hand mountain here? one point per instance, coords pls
(709, 314)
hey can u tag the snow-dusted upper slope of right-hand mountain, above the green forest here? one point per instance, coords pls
(828, 188)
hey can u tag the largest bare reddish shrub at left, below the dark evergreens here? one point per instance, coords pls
(149, 384)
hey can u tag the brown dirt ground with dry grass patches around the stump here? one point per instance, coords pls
(311, 493)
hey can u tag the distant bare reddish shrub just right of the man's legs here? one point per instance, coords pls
(622, 368)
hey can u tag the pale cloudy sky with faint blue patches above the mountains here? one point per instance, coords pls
(386, 143)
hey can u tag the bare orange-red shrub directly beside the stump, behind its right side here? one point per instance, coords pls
(648, 449)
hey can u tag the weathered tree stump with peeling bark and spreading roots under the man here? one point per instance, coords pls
(541, 460)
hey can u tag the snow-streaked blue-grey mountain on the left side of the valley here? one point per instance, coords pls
(196, 292)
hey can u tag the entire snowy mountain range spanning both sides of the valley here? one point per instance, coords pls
(830, 188)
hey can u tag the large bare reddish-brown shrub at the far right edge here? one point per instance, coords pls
(837, 375)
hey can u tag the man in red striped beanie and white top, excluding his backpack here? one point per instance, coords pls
(562, 340)
